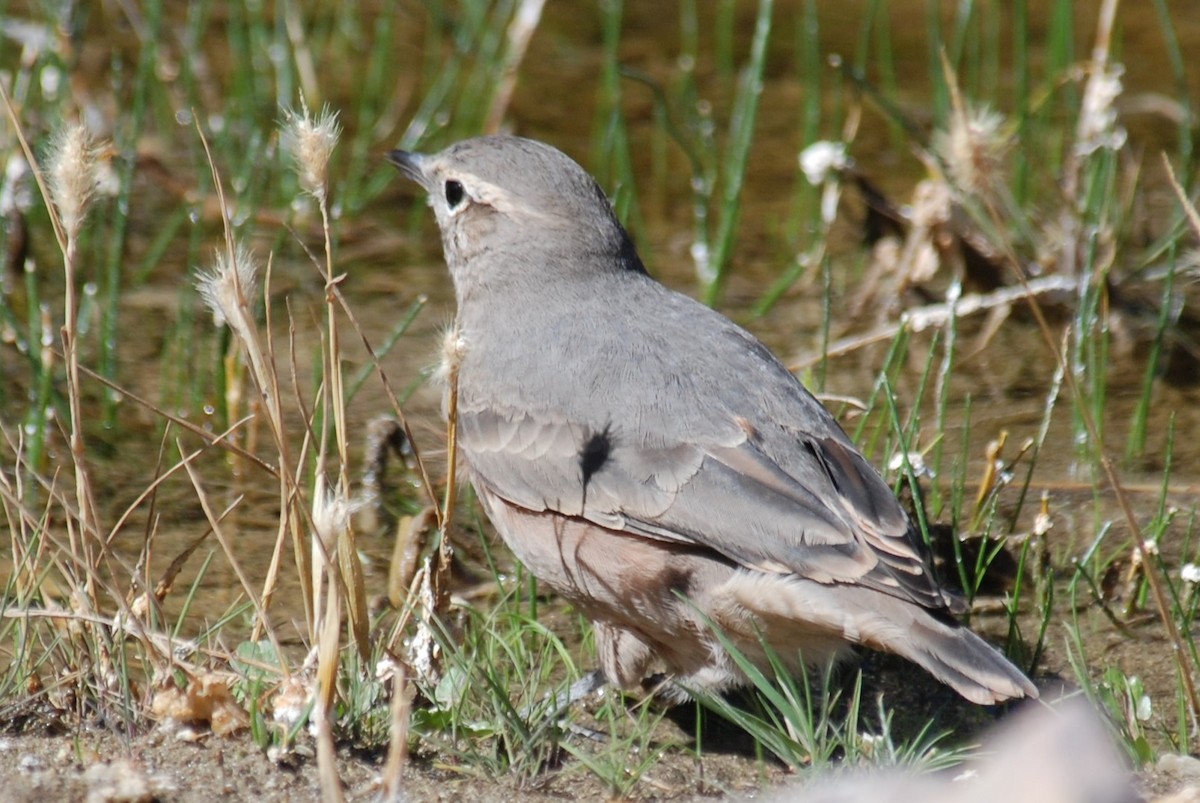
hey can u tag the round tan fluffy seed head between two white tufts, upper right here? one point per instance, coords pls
(975, 149)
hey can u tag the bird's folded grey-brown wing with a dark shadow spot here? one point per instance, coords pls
(779, 501)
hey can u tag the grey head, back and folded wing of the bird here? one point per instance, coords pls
(707, 438)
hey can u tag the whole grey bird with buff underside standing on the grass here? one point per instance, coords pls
(653, 463)
